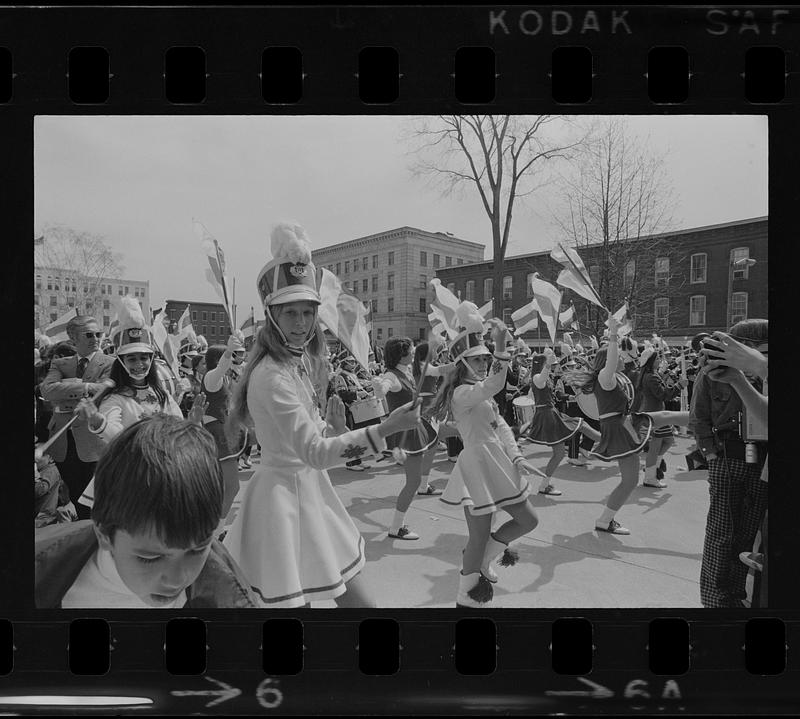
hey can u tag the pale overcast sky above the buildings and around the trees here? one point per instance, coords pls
(138, 181)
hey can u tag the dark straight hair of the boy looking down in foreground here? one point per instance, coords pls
(161, 473)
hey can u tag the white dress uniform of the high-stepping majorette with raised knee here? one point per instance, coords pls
(484, 478)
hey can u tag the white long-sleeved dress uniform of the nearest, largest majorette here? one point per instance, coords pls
(292, 536)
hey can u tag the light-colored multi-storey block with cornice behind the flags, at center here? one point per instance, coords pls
(390, 272)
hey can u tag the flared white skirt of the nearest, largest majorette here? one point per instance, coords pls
(293, 537)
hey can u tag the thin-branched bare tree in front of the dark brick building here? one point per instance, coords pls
(617, 197)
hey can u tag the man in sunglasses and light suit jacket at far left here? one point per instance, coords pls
(70, 378)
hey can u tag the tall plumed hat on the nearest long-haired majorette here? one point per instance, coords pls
(290, 276)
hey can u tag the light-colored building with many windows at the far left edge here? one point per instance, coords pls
(56, 290)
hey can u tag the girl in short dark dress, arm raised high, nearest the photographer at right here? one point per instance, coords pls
(619, 440)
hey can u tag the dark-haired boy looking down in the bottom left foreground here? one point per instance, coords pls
(150, 543)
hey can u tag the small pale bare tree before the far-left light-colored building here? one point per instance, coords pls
(77, 263)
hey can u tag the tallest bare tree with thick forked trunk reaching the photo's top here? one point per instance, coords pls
(503, 157)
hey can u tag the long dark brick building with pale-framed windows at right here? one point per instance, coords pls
(691, 282)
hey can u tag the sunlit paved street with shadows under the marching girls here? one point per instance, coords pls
(564, 562)
